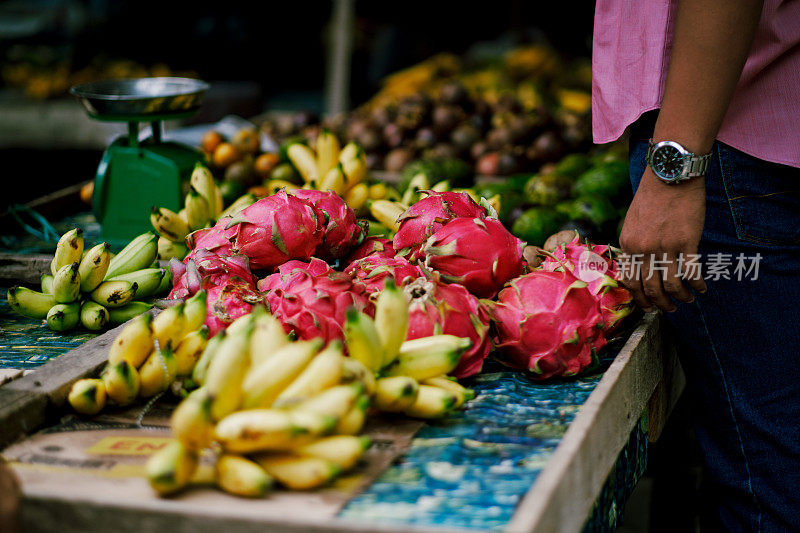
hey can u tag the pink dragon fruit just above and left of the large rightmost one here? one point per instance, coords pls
(480, 254)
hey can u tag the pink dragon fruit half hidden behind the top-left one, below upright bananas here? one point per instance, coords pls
(342, 231)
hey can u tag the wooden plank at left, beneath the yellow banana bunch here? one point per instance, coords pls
(28, 402)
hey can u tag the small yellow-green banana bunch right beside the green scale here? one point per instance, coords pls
(202, 206)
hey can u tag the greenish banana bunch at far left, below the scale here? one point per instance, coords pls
(91, 287)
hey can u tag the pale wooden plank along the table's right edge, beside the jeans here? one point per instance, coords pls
(566, 489)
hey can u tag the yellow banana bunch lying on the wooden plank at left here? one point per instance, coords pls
(147, 356)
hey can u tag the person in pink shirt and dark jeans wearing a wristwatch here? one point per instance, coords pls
(709, 91)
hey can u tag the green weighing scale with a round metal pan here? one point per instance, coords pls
(133, 175)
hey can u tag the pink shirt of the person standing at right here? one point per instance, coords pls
(630, 57)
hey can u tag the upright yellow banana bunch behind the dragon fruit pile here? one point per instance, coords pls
(329, 168)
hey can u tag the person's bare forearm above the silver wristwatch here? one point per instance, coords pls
(710, 45)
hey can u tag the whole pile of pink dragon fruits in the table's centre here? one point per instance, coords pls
(462, 272)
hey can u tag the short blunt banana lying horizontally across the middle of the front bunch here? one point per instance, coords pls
(255, 430)
